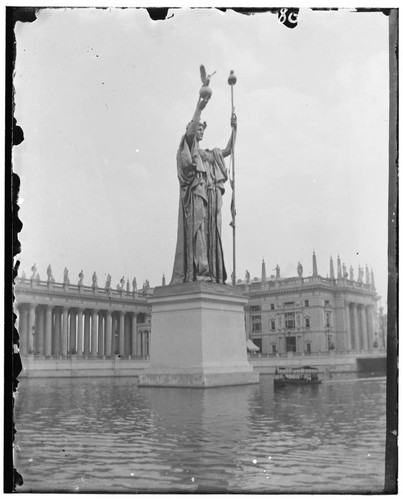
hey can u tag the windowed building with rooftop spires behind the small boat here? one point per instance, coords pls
(313, 314)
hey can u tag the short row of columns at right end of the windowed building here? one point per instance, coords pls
(359, 327)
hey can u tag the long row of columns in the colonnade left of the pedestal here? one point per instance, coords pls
(58, 331)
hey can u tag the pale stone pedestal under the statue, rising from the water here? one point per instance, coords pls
(198, 337)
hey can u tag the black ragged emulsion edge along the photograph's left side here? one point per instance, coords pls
(13, 225)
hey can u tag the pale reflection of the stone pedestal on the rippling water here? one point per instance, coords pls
(209, 429)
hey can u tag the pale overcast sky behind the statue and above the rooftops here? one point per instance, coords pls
(104, 95)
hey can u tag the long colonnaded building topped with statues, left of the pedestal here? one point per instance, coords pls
(60, 319)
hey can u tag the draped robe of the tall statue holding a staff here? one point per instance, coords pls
(199, 253)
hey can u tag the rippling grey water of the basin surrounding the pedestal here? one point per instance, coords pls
(108, 435)
